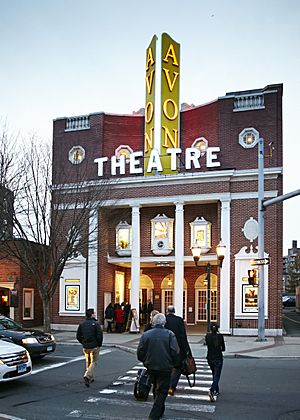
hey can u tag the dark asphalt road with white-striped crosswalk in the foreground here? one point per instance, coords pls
(250, 389)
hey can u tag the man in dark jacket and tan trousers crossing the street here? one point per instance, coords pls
(90, 335)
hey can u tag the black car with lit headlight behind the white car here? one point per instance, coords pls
(36, 342)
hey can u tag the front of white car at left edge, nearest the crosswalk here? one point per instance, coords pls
(15, 361)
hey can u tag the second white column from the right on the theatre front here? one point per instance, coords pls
(179, 259)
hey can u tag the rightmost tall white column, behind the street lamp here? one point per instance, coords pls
(225, 270)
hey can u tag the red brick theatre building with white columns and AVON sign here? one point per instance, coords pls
(196, 183)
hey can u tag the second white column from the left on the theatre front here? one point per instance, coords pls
(135, 258)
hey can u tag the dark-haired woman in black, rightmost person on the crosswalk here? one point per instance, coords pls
(215, 346)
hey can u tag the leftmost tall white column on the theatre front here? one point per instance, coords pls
(93, 261)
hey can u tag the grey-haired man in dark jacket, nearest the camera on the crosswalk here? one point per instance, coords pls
(159, 352)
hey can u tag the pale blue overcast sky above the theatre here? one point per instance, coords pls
(69, 57)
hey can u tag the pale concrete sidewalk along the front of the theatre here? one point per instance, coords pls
(237, 346)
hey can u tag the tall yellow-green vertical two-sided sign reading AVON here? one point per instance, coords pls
(161, 110)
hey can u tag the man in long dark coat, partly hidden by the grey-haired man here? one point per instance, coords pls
(175, 323)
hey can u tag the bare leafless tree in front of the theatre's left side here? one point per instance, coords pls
(51, 223)
